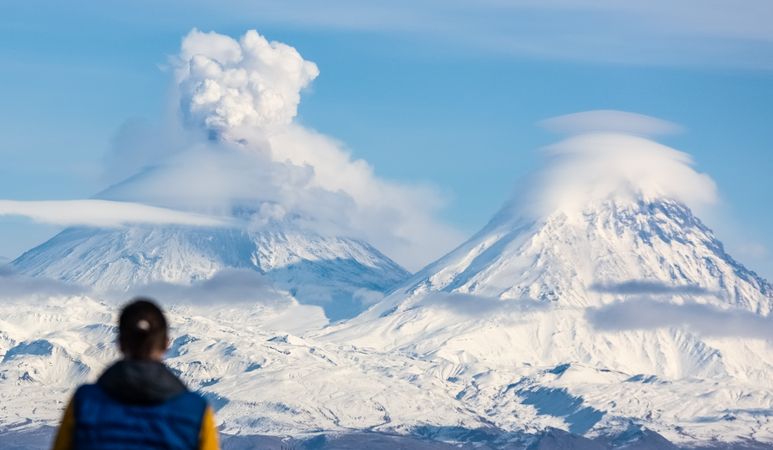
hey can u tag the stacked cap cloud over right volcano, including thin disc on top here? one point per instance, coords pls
(606, 162)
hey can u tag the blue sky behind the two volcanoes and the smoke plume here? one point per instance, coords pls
(445, 93)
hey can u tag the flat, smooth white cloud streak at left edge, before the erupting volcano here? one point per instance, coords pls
(103, 213)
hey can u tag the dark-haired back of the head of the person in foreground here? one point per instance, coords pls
(142, 329)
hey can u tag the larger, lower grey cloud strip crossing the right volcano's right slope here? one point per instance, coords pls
(707, 320)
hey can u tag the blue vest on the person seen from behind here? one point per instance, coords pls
(102, 423)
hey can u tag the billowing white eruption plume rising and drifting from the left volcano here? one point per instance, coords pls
(267, 169)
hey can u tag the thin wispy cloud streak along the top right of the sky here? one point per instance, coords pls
(691, 32)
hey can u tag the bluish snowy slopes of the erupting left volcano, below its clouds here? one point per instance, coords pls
(329, 271)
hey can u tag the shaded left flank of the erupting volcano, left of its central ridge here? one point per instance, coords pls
(121, 258)
